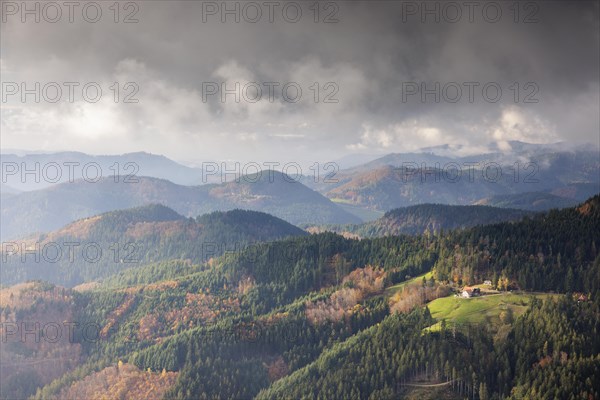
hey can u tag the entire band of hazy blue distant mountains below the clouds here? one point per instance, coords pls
(533, 177)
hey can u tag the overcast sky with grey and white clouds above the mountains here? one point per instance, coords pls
(297, 81)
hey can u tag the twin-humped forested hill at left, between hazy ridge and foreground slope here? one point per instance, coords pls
(102, 245)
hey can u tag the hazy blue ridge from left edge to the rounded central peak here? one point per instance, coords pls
(48, 209)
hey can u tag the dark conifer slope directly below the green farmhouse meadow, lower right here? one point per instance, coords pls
(552, 352)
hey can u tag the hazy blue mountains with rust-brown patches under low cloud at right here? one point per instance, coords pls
(400, 180)
